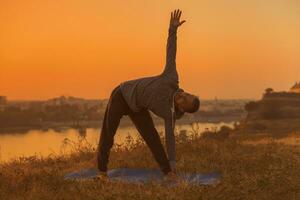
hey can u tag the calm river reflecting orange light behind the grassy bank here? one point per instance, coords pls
(45, 143)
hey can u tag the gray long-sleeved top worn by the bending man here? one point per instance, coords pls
(156, 94)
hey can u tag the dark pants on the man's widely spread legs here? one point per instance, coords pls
(116, 108)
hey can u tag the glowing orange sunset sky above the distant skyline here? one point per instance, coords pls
(227, 48)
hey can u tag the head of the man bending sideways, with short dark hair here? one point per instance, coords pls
(186, 102)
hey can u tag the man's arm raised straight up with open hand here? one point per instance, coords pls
(171, 43)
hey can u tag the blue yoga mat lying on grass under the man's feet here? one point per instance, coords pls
(145, 175)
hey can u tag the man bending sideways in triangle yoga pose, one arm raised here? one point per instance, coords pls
(159, 94)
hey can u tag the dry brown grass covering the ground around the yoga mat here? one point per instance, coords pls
(266, 171)
